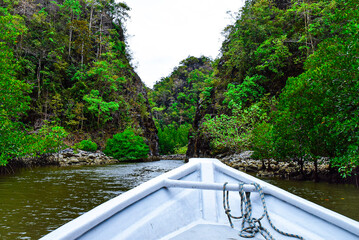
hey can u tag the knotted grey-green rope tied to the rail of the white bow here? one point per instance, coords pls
(250, 225)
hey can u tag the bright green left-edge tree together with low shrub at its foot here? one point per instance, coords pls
(14, 101)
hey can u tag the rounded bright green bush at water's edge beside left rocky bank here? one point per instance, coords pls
(126, 146)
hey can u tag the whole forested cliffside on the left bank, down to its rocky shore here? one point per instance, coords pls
(64, 66)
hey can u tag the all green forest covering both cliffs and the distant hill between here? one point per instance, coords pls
(285, 84)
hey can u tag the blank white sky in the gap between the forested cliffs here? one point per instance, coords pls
(162, 33)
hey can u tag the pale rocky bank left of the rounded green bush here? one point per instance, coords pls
(68, 157)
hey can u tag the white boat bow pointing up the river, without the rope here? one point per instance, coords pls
(192, 208)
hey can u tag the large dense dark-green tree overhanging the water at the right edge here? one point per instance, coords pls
(318, 110)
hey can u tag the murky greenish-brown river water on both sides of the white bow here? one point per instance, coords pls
(36, 201)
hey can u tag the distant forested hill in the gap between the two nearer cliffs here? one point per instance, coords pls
(174, 101)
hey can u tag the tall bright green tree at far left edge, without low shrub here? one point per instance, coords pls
(14, 99)
